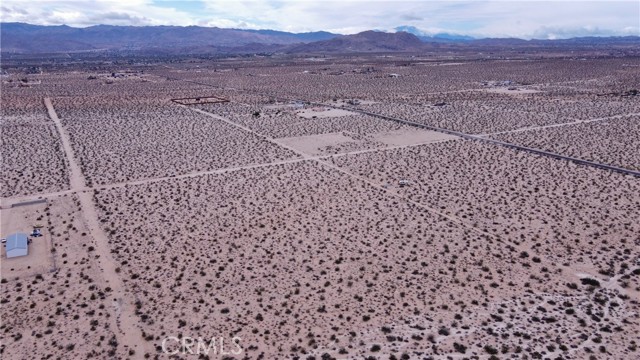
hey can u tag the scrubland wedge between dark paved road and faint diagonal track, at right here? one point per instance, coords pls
(516, 196)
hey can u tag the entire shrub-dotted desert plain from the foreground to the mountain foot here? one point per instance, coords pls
(288, 218)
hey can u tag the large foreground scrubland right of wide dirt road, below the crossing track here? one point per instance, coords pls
(306, 245)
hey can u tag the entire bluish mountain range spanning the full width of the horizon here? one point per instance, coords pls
(22, 38)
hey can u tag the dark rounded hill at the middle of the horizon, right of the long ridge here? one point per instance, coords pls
(368, 41)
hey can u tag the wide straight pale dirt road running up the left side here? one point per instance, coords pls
(124, 322)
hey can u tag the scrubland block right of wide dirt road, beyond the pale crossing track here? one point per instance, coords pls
(133, 141)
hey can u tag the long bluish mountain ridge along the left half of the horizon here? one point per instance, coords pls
(26, 38)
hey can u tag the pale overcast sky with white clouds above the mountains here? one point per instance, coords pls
(524, 19)
